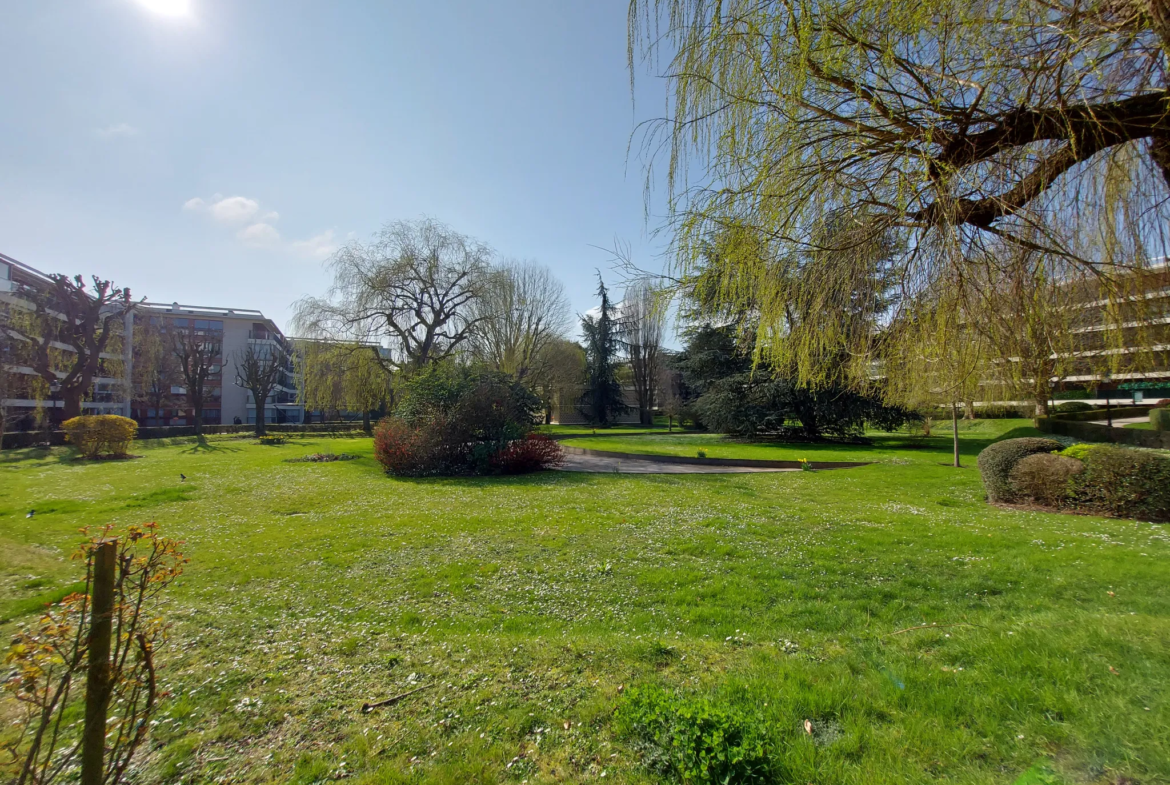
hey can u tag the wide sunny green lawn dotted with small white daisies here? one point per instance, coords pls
(527, 605)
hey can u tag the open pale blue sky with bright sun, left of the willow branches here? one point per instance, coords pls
(217, 157)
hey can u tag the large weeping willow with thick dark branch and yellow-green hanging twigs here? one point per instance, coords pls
(825, 147)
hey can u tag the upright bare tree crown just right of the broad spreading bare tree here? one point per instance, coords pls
(522, 309)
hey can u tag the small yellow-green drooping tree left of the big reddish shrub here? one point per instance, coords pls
(342, 377)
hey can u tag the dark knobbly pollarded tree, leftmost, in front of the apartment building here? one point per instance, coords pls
(67, 329)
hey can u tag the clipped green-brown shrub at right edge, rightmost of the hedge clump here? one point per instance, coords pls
(1123, 481)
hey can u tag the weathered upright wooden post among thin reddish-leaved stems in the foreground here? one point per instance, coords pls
(98, 678)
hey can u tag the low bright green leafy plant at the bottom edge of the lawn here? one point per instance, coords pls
(693, 741)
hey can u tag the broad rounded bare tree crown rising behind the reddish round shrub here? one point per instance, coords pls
(411, 291)
